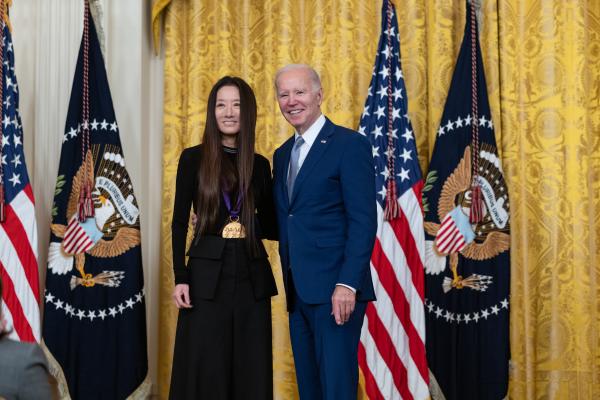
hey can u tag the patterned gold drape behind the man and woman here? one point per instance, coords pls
(542, 60)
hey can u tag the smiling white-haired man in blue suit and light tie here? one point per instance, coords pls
(324, 189)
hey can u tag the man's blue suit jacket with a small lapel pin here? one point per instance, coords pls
(327, 229)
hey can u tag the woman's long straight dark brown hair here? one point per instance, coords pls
(216, 173)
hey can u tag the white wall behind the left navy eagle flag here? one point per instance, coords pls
(47, 35)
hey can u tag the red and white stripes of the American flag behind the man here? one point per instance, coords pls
(392, 344)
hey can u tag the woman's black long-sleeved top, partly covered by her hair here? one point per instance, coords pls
(186, 191)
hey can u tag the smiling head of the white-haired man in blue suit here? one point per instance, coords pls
(299, 101)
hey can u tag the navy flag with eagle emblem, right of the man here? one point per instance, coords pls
(467, 241)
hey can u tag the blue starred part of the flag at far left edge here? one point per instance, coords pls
(15, 176)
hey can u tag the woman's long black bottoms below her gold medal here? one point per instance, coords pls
(223, 346)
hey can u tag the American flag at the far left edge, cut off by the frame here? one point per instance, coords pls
(18, 232)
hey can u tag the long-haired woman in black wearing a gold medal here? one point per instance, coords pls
(223, 340)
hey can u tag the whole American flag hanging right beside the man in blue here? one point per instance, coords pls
(392, 346)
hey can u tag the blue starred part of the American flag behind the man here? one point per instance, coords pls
(375, 118)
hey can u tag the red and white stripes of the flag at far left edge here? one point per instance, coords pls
(19, 268)
